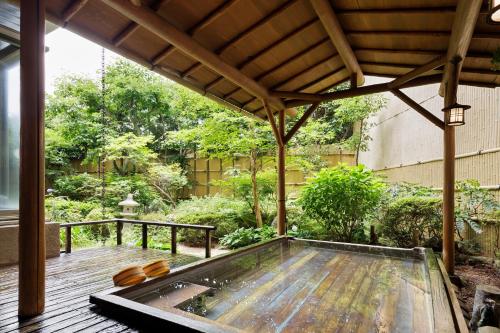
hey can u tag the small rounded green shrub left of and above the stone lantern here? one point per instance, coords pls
(79, 187)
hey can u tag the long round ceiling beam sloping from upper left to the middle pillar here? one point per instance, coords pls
(162, 28)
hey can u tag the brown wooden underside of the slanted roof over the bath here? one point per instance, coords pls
(251, 48)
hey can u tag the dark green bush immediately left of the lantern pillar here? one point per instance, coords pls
(404, 216)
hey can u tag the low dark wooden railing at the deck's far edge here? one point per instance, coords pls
(119, 226)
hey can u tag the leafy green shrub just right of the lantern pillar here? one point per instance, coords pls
(472, 205)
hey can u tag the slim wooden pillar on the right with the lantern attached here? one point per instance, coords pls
(449, 176)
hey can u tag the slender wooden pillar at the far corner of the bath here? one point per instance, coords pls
(281, 176)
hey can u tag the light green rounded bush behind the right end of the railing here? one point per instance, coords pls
(224, 213)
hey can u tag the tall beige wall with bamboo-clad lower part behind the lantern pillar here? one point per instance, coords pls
(407, 147)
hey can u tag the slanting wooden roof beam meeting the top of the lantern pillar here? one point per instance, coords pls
(461, 34)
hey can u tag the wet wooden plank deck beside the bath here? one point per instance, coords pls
(71, 278)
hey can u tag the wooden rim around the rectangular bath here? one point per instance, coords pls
(117, 302)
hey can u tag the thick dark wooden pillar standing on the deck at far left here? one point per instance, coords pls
(31, 186)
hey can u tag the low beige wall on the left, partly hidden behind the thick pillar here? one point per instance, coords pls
(9, 249)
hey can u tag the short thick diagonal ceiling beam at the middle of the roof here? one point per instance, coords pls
(332, 26)
